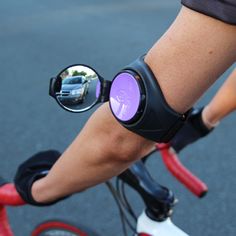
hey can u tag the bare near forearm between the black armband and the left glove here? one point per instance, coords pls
(102, 150)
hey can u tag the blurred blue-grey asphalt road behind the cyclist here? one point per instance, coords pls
(40, 38)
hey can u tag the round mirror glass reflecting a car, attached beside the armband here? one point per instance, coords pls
(79, 88)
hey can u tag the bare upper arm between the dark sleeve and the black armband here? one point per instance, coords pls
(190, 56)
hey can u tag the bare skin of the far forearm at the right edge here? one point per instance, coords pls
(222, 104)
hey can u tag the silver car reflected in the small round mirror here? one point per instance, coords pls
(73, 90)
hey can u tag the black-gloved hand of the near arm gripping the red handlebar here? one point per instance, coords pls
(34, 168)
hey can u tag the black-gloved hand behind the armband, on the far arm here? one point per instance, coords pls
(193, 129)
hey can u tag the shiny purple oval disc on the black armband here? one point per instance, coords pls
(124, 96)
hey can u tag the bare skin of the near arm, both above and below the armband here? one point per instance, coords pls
(188, 58)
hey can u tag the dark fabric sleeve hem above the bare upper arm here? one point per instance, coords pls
(224, 10)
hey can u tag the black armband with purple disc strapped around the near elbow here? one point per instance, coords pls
(137, 102)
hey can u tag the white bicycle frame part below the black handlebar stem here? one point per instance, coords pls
(154, 228)
